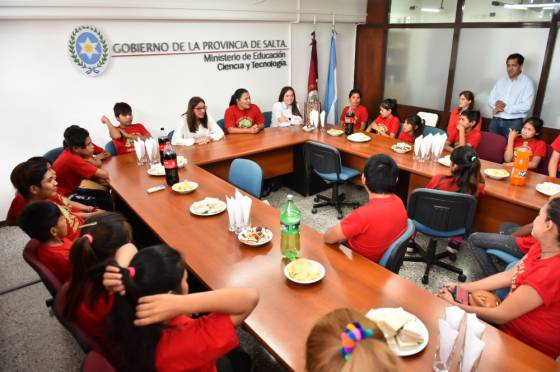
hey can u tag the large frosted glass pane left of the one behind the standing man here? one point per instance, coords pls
(417, 66)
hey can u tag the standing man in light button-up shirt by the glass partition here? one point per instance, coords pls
(511, 98)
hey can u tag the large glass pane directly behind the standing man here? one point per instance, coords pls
(480, 64)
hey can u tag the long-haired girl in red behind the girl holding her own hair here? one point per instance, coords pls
(105, 238)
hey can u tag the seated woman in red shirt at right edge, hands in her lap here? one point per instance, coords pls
(531, 310)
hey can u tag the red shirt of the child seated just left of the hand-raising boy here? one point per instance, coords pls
(70, 170)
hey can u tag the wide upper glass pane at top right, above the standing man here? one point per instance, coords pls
(505, 11)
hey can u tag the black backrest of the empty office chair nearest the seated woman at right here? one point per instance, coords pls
(440, 212)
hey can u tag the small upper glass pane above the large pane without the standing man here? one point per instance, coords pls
(422, 11)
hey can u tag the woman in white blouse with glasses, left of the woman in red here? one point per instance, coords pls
(196, 126)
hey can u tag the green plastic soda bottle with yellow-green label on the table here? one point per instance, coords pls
(290, 218)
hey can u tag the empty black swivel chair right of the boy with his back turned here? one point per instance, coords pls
(439, 214)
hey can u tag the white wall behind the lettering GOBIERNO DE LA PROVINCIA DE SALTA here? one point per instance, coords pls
(41, 93)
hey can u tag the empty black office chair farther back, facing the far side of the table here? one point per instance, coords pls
(325, 161)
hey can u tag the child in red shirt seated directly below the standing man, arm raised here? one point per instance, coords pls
(530, 133)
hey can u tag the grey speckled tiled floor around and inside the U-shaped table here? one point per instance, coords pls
(33, 340)
